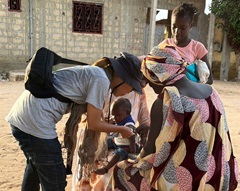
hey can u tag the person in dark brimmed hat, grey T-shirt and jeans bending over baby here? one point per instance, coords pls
(33, 120)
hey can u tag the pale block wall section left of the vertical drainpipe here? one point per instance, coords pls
(14, 37)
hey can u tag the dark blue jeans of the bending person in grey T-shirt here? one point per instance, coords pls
(44, 165)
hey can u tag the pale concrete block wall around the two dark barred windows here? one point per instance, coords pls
(124, 24)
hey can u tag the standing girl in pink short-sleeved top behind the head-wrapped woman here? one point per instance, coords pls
(191, 50)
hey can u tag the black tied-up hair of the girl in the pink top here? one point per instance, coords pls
(185, 10)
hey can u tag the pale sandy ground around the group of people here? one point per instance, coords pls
(12, 161)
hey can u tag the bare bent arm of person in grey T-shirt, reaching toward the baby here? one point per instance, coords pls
(95, 123)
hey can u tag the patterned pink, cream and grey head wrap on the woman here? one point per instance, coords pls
(163, 66)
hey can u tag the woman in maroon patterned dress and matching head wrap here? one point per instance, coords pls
(189, 145)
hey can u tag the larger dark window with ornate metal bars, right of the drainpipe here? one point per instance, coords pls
(87, 17)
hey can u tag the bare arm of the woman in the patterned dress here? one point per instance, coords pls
(156, 116)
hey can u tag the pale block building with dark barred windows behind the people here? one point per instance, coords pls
(81, 30)
